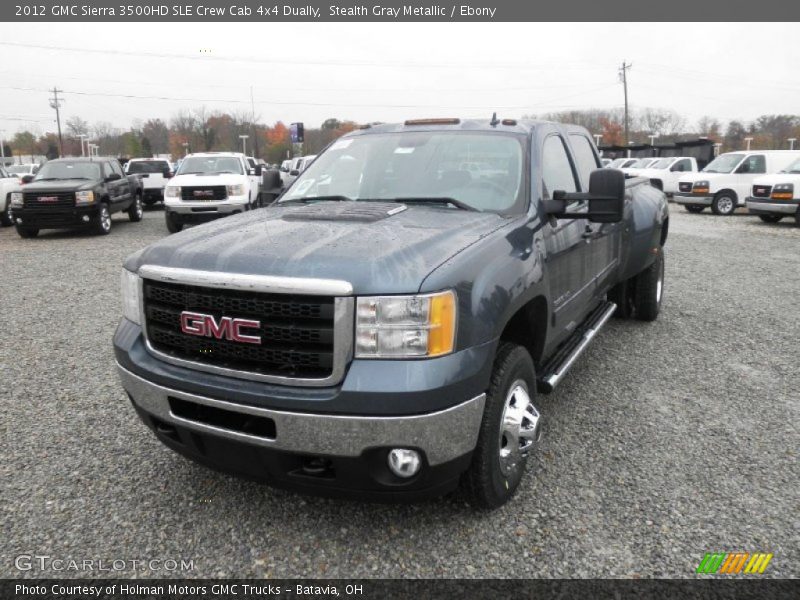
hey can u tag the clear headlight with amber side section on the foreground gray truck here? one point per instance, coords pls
(405, 326)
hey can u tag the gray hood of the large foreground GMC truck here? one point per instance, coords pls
(360, 242)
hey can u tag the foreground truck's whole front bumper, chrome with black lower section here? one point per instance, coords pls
(316, 453)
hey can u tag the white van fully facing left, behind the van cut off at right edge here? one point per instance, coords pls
(725, 183)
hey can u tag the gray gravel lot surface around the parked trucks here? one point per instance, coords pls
(666, 441)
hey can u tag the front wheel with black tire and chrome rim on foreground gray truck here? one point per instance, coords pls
(509, 429)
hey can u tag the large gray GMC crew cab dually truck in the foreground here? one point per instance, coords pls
(384, 328)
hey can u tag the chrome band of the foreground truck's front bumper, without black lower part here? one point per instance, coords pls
(442, 436)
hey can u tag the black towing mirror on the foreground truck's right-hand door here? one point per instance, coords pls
(606, 199)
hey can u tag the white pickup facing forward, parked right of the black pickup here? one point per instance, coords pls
(207, 186)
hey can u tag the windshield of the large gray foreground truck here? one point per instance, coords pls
(482, 171)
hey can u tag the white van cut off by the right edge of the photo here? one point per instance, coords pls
(774, 197)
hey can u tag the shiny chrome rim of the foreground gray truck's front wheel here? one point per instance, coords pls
(518, 427)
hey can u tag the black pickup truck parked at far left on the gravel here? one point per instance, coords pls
(71, 193)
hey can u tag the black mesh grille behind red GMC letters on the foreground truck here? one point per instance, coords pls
(296, 331)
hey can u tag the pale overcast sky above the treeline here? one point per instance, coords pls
(392, 71)
